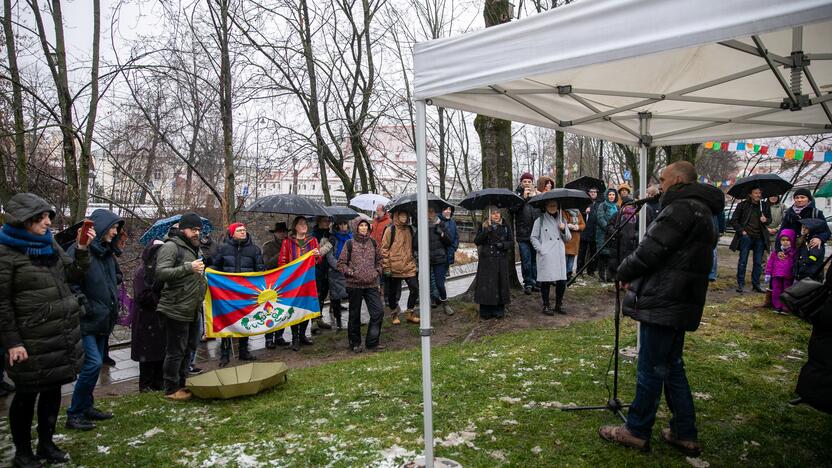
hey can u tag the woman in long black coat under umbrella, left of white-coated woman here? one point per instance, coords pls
(494, 239)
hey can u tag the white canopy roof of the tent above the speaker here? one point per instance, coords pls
(694, 65)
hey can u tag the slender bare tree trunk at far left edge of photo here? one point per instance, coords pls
(21, 161)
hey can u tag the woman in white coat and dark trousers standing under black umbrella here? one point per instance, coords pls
(548, 236)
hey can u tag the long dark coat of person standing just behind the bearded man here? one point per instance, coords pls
(147, 342)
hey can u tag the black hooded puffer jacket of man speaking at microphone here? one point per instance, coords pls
(668, 272)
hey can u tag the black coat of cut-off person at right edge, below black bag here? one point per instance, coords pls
(815, 382)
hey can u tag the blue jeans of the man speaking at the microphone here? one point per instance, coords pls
(660, 365)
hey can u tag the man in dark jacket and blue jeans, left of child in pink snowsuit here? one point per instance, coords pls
(750, 235)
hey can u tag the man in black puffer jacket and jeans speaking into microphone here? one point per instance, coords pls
(667, 281)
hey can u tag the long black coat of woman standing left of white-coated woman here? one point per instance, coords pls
(492, 281)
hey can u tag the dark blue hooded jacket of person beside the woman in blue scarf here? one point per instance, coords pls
(100, 283)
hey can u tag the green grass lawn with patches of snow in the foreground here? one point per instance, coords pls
(496, 403)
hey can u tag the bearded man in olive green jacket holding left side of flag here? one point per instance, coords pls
(180, 267)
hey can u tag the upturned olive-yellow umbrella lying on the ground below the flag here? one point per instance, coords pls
(231, 382)
